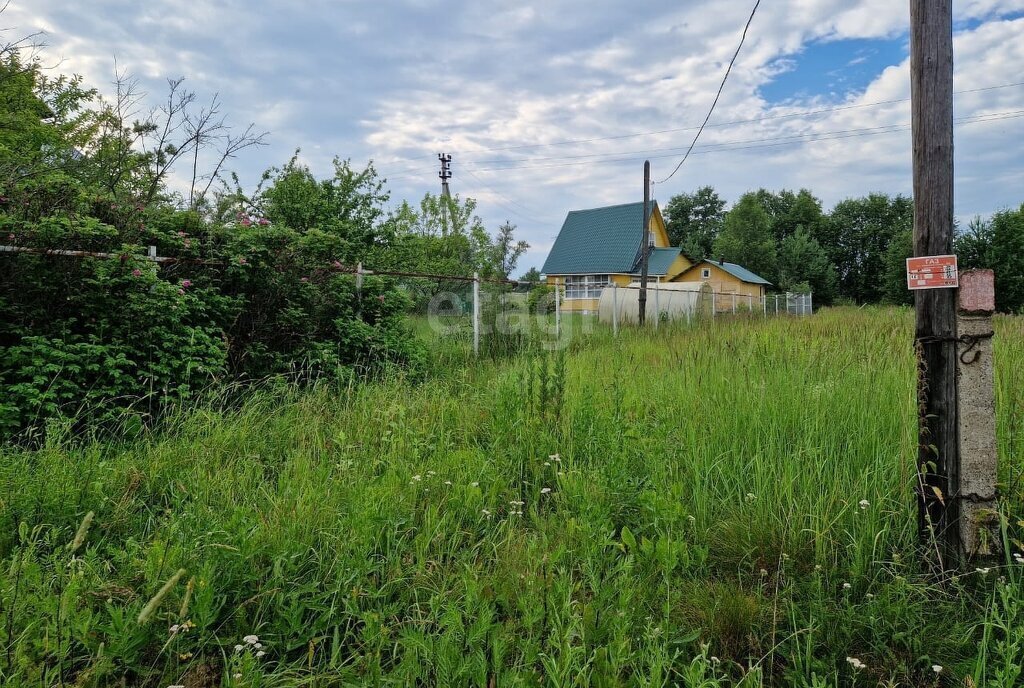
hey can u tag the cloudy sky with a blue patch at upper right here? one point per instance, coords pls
(553, 107)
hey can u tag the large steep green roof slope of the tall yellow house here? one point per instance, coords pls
(600, 241)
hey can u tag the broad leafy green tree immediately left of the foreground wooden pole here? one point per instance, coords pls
(858, 236)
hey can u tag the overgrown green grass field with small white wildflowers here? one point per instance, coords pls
(728, 504)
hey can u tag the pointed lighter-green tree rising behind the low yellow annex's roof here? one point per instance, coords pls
(746, 239)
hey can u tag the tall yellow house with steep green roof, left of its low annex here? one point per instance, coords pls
(599, 247)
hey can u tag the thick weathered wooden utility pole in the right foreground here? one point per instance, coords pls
(932, 113)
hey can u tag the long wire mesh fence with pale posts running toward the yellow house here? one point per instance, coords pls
(496, 315)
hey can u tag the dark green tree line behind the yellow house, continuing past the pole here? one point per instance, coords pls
(855, 253)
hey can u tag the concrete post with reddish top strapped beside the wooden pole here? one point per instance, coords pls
(979, 523)
